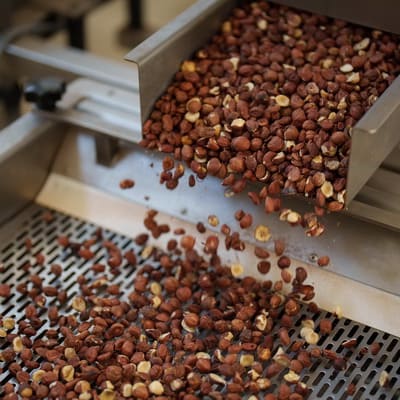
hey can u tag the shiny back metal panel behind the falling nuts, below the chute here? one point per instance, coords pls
(358, 250)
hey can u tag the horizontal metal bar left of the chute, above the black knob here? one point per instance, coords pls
(39, 58)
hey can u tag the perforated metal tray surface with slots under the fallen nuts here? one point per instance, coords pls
(324, 381)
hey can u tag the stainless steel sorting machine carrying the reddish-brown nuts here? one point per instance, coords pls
(70, 160)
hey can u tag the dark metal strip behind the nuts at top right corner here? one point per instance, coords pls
(382, 14)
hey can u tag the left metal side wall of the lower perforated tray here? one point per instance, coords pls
(27, 149)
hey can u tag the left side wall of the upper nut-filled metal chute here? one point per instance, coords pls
(159, 56)
